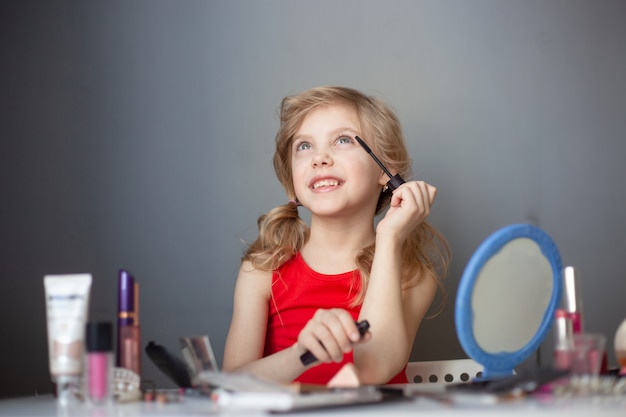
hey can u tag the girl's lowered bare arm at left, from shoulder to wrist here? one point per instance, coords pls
(246, 337)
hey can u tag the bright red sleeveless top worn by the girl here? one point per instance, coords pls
(297, 292)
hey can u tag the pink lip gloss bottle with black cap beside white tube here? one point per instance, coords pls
(99, 336)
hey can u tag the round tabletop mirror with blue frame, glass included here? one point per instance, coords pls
(507, 297)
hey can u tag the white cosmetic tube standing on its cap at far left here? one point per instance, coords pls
(67, 307)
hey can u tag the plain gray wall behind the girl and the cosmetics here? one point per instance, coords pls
(139, 135)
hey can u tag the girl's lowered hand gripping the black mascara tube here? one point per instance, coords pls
(329, 335)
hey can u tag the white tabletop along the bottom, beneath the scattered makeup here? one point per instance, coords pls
(545, 405)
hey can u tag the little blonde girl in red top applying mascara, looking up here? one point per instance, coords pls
(301, 288)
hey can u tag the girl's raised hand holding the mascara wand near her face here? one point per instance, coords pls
(410, 205)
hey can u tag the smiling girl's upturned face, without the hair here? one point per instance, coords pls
(332, 173)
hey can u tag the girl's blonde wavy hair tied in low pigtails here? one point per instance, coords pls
(282, 233)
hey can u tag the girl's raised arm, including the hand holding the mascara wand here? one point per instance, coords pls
(394, 314)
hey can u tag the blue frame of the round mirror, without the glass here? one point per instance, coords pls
(503, 363)
